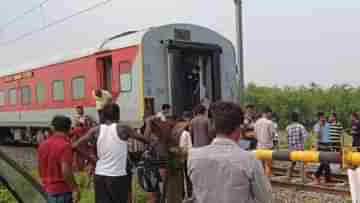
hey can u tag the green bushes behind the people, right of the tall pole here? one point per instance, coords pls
(307, 100)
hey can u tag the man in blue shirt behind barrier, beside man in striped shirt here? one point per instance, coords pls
(322, 129)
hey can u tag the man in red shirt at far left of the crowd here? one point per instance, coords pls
(55, 164)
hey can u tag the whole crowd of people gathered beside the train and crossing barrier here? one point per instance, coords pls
(205, 153)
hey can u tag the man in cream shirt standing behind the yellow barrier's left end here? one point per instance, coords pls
(264, 129)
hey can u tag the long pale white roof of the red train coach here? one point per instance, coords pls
(127, 39)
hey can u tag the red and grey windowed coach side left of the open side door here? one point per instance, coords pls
(40, 114)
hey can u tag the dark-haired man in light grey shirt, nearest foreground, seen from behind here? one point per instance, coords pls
(222, 172)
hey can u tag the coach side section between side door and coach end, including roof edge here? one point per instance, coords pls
(128, 76)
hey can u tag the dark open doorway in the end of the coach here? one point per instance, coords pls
(193, 74)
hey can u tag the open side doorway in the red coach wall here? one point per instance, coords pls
(105, 73)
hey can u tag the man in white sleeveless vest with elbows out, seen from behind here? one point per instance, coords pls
(112, 181)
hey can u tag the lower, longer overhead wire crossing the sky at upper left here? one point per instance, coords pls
(56, 22)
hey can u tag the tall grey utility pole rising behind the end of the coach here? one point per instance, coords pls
(240, 50)
